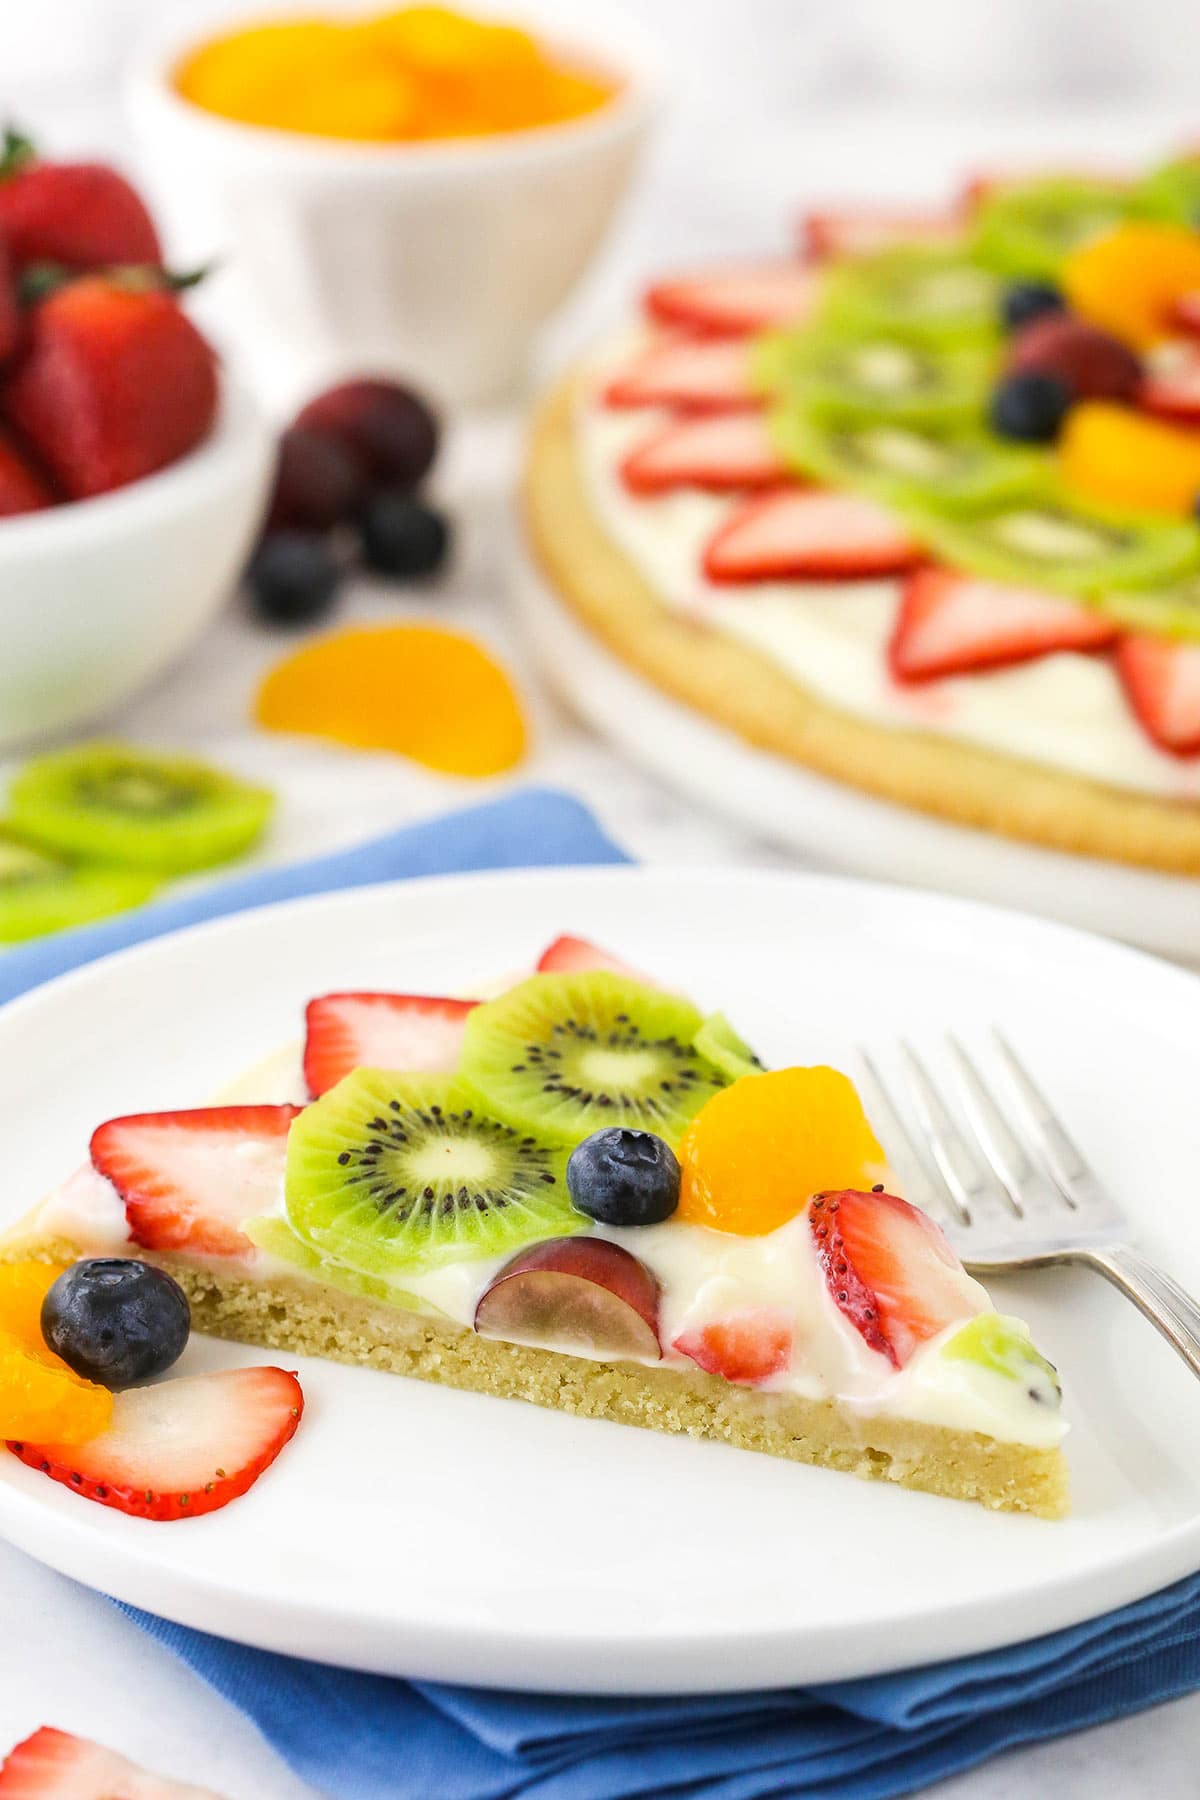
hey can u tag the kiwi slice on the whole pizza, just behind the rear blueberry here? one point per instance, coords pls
(1030, 228)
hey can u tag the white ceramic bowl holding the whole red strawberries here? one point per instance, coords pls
(98, 597)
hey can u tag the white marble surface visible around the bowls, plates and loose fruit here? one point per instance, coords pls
(755, 132)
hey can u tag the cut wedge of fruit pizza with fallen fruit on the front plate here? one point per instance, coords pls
(584, 1194)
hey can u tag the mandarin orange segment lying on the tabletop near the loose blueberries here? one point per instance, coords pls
(411, 688)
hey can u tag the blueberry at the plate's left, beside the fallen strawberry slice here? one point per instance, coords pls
(116, 1322)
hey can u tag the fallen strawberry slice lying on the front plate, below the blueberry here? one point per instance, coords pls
(181, 1448)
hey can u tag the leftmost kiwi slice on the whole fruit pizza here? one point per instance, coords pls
(886, 377)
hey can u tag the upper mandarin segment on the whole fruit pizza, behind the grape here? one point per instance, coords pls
(1131, 280)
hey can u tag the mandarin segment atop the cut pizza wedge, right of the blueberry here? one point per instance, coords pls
(758, 1151)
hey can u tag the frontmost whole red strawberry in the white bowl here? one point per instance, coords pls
(114, 382)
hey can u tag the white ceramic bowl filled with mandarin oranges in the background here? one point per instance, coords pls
(436, 260)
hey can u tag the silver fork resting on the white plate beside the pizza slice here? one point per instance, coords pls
(1019, 1196)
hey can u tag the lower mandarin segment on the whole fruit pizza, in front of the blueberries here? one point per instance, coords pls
(1129, 460)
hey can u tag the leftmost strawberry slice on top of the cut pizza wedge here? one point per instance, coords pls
(190, 1180)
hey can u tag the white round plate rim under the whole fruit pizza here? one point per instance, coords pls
(832, 822)
